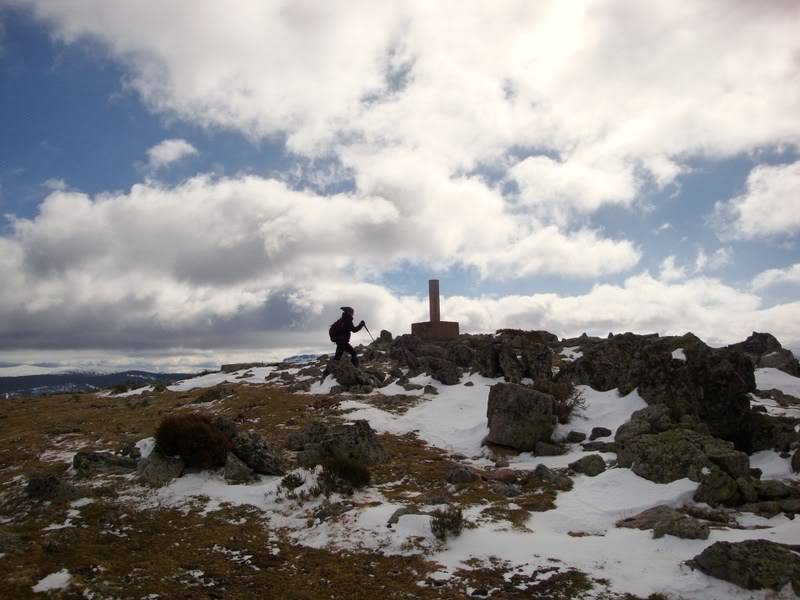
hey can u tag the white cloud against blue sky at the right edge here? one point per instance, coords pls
(770, 207)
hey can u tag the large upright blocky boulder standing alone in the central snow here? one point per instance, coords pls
(519, 416)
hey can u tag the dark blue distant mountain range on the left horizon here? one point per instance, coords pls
(77, 381)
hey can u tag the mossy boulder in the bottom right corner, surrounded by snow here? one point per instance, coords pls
(752, 564)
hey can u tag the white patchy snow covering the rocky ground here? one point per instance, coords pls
(580, 532)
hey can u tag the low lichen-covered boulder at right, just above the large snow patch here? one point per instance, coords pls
(678, 453)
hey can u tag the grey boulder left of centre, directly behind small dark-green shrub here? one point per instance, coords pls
(351, 441)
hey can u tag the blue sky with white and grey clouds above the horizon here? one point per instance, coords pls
(193, 182)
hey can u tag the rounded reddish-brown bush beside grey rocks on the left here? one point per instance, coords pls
(194, 438)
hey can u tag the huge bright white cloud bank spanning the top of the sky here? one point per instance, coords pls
(600, 85)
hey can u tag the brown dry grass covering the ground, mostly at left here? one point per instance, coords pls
(117, 549)
